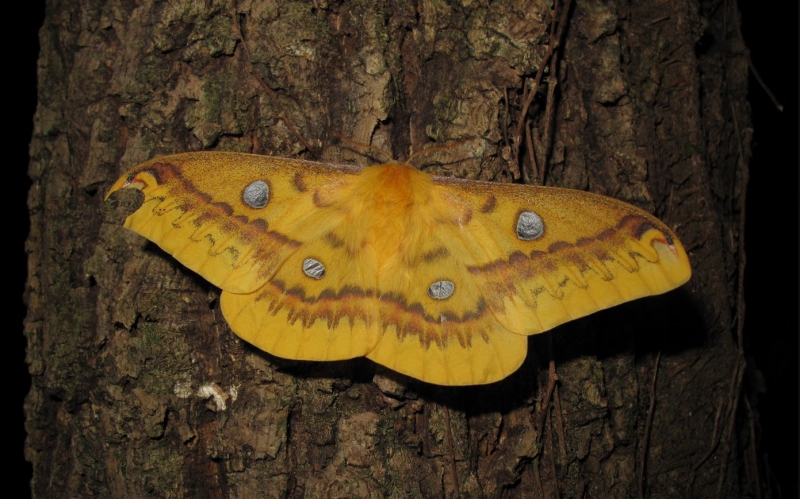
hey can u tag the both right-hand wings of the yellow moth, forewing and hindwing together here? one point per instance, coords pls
(578, 254)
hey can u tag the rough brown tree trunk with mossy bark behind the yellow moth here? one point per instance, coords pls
(139, 386)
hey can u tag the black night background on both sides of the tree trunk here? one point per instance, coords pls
(771, 279)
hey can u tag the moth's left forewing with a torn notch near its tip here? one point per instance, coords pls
(223, 215)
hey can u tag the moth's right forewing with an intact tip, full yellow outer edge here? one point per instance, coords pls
(546, 255)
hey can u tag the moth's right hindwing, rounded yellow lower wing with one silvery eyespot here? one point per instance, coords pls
(452, 340)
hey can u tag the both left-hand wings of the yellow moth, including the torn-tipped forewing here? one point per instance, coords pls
(240, 221)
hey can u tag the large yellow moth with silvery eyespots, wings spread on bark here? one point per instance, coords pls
(437, 278)
